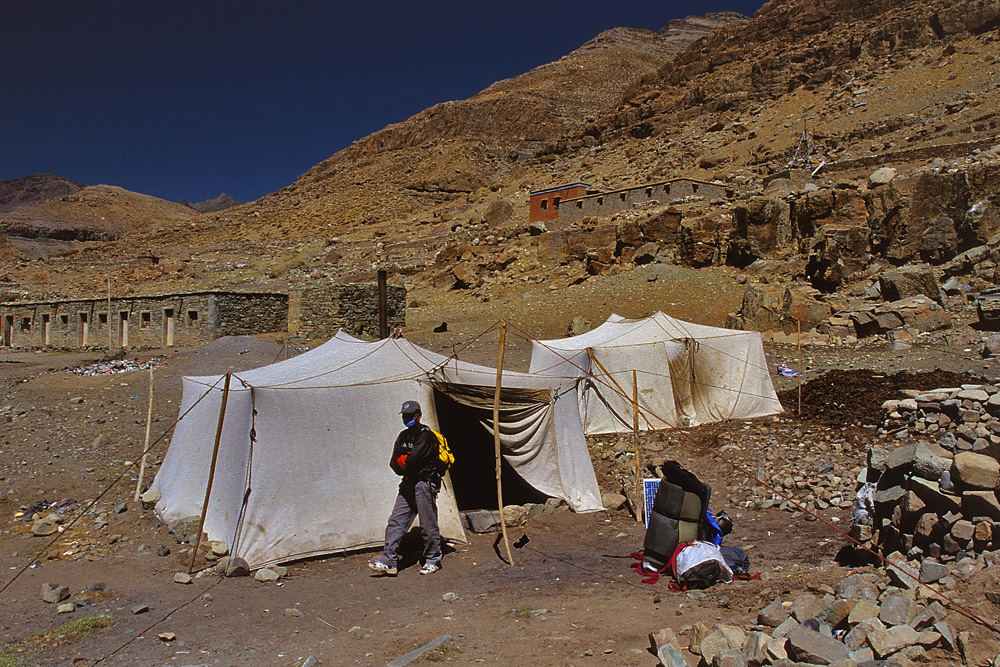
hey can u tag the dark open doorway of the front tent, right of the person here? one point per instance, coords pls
(473, 475)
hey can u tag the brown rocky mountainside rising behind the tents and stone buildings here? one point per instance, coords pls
(441, 199)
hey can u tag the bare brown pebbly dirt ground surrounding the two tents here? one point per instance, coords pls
(571, 598)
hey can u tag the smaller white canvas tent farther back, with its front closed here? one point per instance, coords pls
(686, 373)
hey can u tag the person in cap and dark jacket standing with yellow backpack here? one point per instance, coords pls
(415, 458)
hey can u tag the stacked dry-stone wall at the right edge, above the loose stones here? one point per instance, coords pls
(936, 497)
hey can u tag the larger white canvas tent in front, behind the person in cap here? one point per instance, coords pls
(303, 459)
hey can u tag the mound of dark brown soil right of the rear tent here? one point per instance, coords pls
(855, 397)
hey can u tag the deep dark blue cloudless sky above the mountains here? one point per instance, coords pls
(185, 100)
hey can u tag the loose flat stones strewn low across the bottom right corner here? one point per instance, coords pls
(866, 617)
